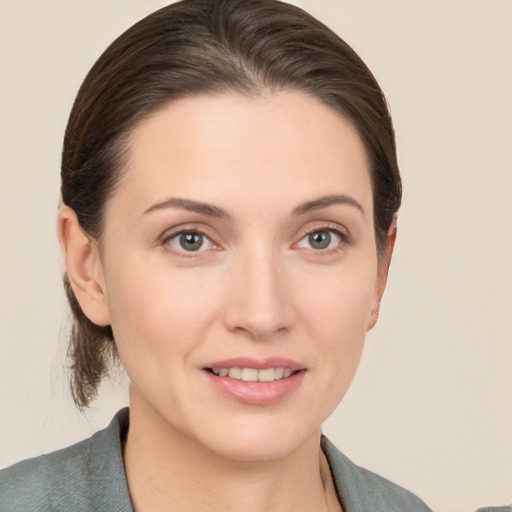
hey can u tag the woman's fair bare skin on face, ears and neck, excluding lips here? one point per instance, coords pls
(256, 288)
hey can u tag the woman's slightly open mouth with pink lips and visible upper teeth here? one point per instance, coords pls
(255, 382)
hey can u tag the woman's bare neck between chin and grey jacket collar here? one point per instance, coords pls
(165, 467)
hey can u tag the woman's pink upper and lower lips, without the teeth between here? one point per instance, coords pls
(256, 393)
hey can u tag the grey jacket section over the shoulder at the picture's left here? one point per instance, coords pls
(84, 477)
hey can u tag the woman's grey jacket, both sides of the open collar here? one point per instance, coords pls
(89, 477)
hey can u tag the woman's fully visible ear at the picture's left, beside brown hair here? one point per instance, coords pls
(83, 264)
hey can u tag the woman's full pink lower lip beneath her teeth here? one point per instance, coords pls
(256, 393)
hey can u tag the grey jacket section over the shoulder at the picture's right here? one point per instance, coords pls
(362, 490)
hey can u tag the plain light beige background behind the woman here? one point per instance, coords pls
(431, 407)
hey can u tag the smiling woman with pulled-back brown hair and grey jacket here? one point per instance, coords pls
(229, 192)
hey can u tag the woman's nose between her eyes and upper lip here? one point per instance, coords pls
(260, 304)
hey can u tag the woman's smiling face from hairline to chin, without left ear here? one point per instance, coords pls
(241, 242)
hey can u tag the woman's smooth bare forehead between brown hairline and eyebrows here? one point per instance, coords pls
(220, 148)
